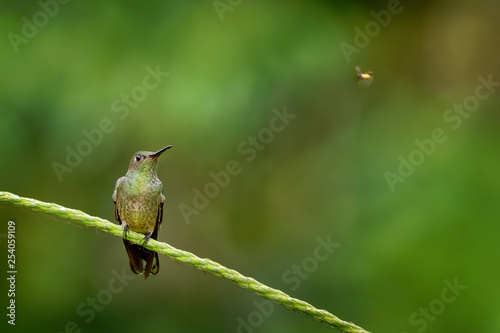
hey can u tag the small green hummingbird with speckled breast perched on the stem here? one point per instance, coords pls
(138, 198)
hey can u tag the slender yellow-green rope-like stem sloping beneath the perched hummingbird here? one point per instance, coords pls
(205, 265)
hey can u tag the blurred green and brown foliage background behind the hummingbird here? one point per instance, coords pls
(322, 176)
